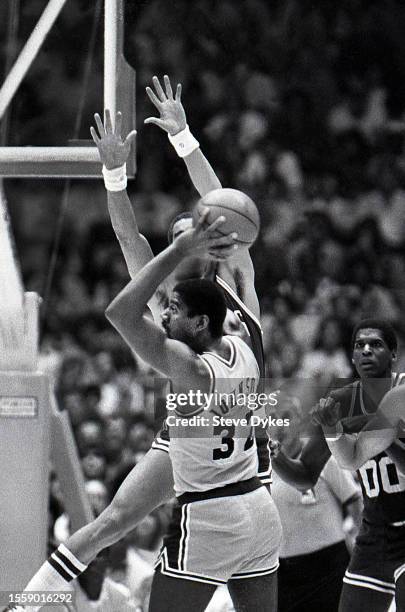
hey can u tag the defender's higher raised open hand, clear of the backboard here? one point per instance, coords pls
(172, 115)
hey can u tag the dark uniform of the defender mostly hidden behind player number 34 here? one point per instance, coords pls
(254, 331)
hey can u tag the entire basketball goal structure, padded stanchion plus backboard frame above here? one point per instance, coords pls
(35, 434)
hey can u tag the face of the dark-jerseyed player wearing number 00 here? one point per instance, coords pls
(371, 356)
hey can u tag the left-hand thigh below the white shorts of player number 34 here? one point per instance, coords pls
(179, 595)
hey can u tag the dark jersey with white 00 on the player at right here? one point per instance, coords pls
(382, 485)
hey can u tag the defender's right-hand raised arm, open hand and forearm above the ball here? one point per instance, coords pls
(172, 119)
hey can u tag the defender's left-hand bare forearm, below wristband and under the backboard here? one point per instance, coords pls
(134, 246)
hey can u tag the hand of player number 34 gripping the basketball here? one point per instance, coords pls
(203, 240)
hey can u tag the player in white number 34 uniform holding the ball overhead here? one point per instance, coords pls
(219, 497)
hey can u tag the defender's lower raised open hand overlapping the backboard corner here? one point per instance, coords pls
(113, 149)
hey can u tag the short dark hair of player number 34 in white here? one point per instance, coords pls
(202, 296)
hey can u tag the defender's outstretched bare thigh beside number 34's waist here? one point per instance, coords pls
(149, 484)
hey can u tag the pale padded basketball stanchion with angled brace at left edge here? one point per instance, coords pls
(32, 430)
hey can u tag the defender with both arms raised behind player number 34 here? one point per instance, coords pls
(150, 483)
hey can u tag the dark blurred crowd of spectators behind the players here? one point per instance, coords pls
(300, 104)
